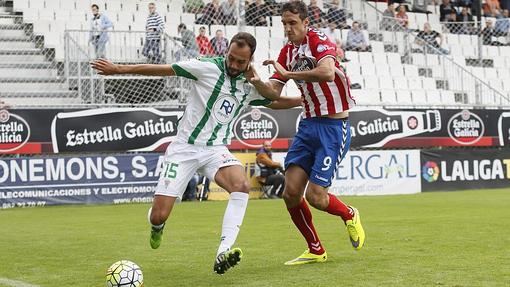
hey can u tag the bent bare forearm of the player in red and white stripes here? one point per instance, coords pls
(324, 72)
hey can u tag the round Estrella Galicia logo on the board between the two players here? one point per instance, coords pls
(255, 127)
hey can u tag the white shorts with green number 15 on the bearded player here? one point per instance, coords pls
(183, 160)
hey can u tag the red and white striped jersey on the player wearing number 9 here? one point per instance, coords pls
(318, 98)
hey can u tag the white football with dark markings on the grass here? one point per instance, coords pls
(124, 273)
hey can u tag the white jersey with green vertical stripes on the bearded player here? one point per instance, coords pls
(214, 103)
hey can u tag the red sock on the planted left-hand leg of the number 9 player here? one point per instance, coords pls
(302, 218)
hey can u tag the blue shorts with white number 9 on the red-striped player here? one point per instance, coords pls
(319, 146)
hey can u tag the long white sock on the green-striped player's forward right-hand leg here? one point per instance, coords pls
(232, 220)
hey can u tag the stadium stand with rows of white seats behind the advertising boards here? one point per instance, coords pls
(44, 50)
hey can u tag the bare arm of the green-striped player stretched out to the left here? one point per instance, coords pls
(105, 67)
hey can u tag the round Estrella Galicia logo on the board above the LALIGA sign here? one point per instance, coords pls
(465, 128)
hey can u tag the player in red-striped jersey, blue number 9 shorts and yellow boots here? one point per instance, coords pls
(323, 136)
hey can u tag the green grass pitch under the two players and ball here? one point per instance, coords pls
(429, 239)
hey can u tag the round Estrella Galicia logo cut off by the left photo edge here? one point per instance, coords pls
(14, 131)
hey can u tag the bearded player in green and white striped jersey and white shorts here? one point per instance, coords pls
(221, 88)
